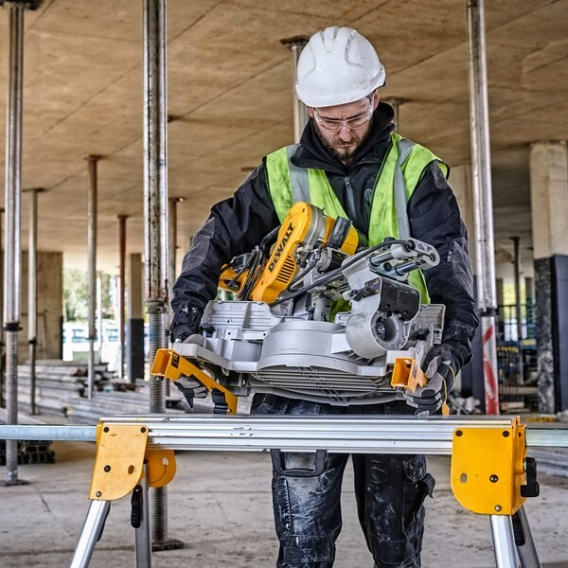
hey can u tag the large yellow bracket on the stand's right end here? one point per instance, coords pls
(488, 468)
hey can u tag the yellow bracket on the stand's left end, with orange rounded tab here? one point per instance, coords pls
(119, 464)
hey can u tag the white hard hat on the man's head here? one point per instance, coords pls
(338, 66)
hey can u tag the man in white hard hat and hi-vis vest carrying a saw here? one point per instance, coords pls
(351, 153)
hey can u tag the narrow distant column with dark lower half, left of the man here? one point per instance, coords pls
(135, 319)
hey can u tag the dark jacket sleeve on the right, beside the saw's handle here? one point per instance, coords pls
(434, 218)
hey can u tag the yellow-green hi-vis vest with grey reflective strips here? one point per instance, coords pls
(398, 177)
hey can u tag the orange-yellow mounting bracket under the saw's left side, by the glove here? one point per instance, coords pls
(170, 365)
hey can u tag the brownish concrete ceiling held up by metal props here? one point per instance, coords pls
(230, 93)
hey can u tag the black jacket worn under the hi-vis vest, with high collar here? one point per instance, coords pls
(237, 224)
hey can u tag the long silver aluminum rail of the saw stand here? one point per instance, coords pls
(345, 434)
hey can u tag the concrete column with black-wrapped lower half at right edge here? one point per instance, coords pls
(549, 200)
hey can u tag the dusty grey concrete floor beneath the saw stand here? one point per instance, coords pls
(220, 507)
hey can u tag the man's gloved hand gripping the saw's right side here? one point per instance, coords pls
(440, 367)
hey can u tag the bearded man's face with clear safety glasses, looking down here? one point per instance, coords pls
(343, 138)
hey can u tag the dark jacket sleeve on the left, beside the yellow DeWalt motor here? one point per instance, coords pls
(235, 226)
